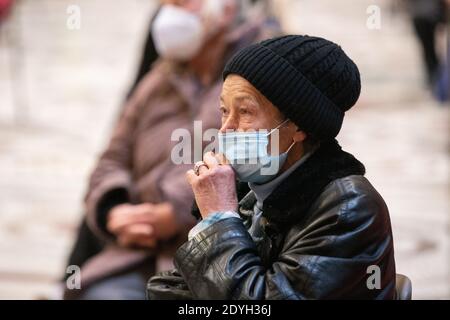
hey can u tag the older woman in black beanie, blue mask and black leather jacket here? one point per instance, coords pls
(311, 227)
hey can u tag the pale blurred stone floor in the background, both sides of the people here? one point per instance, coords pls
(61, 89)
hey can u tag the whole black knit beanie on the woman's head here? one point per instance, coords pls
(309, 79)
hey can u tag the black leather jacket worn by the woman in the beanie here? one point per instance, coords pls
(323, 252)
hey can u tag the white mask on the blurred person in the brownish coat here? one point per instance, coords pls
(177, 33)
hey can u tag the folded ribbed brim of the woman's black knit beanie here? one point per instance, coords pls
(287, 89)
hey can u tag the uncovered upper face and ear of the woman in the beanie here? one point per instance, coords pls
(243, 108)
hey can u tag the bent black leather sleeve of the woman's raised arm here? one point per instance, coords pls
(328, 259)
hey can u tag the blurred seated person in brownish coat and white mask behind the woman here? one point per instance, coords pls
(138, 201)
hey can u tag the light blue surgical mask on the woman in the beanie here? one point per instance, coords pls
(248, 156)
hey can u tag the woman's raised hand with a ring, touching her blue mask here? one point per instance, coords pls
(215, 186)
